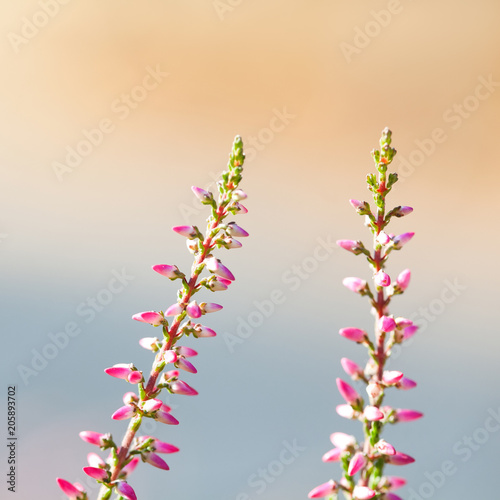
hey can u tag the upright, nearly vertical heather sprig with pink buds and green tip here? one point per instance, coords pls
(363, 462)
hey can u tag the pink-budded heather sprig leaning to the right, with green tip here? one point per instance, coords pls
(179, 320)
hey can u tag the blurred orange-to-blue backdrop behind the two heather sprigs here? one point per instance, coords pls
(110, 111)
